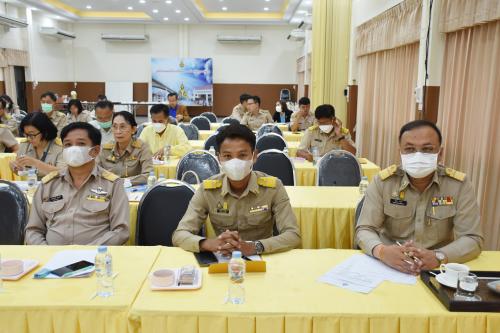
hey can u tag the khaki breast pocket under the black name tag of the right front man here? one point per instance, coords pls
(400, 220)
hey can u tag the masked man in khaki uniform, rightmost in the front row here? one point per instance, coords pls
(431, 208)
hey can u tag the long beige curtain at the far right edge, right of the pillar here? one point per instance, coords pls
(470, 116)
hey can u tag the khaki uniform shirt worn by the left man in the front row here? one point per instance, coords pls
(62, 214)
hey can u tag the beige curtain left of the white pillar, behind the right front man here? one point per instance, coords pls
(386, 101)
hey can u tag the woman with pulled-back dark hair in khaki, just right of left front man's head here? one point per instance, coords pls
(126, 157)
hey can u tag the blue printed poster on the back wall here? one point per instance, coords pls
(190, 78)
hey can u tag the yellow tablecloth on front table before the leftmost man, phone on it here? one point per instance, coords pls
(64, 306)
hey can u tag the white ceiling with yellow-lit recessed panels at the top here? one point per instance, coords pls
(184, 11)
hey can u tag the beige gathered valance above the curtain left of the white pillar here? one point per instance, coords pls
(395, 27)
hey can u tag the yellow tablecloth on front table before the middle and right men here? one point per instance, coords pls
(287, 298)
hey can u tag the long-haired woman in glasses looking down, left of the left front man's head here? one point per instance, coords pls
(42, 149)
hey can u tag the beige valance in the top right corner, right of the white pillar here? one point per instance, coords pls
(459, 14)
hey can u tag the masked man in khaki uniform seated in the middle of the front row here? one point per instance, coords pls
(243, 205)
